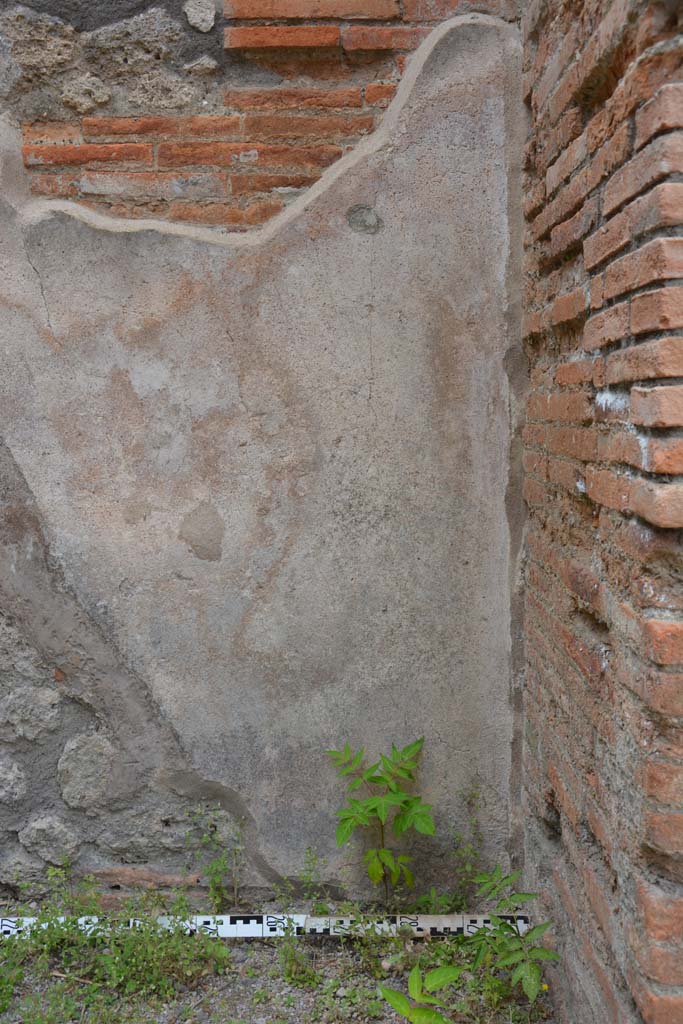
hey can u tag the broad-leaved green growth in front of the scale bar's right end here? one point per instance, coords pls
(493, 962)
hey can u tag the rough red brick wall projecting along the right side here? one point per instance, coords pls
(605, 471)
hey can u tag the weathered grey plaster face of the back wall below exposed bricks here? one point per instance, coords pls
(257, 490)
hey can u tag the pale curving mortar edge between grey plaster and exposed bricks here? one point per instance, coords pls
(33, 211)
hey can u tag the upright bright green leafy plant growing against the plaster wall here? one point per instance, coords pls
(387, 803)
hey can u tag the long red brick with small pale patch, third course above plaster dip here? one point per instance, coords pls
(245, 155)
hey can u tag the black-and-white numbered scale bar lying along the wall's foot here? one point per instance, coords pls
(273, 926)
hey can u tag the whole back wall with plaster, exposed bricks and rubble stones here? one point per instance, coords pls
(262, 490)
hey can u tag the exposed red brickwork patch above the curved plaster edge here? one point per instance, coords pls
(337, 65)
